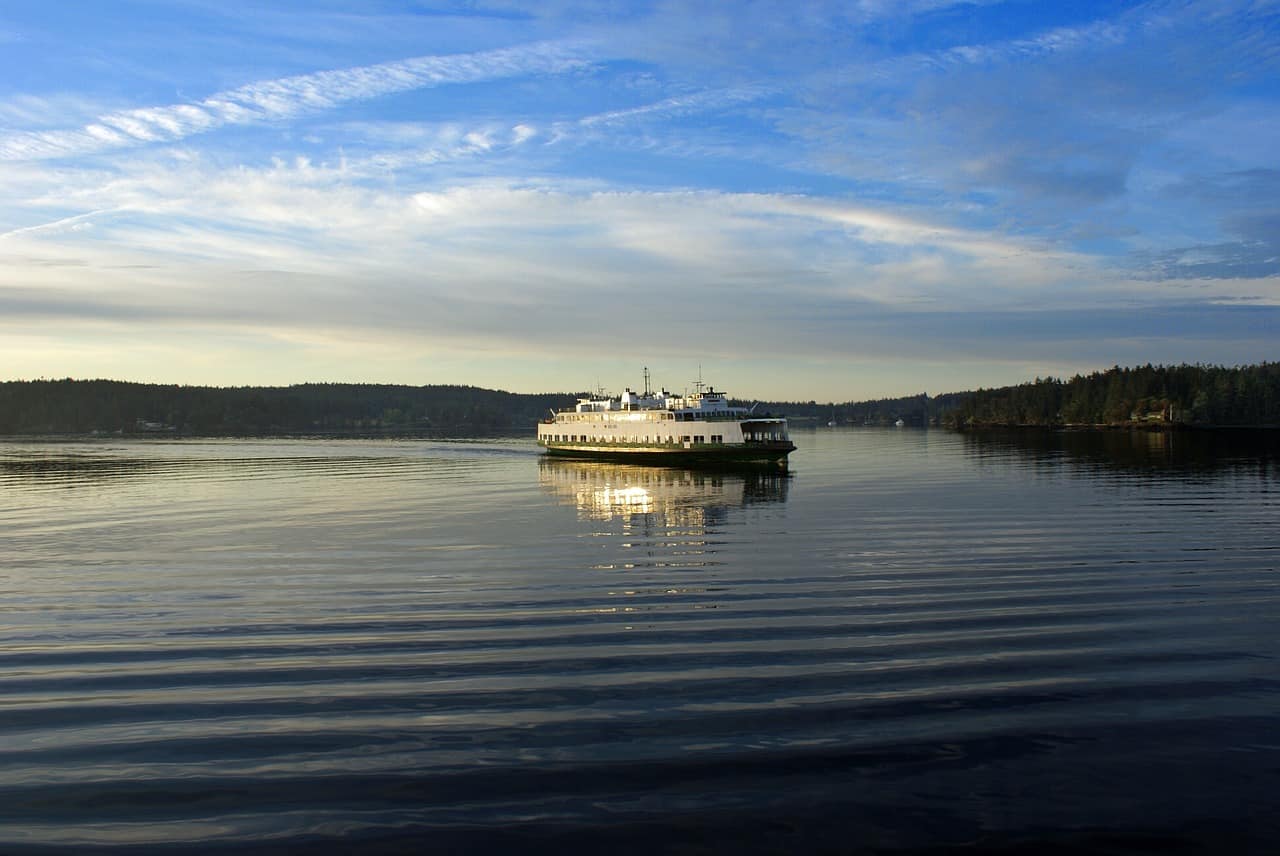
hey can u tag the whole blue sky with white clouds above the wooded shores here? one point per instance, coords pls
(830, 202)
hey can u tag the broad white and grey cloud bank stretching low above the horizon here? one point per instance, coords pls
(296, 262)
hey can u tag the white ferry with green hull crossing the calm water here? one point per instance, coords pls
(662, 428)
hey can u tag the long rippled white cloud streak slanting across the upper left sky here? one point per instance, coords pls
(290, 97)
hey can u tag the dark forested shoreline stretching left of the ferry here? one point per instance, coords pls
(111, 408)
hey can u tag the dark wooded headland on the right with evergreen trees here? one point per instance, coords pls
(1213, 396)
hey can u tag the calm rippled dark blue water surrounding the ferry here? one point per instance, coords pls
(915, 642)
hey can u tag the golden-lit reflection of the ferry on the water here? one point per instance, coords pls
(678, 497)
